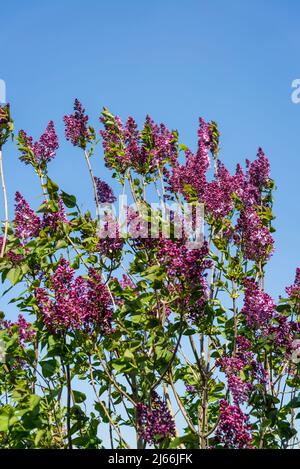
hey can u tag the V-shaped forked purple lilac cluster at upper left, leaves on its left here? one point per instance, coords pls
(39, 153)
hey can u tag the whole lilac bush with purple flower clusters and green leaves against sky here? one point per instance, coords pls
(122, 326)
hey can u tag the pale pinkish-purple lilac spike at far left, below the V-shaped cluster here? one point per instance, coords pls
(27, 223)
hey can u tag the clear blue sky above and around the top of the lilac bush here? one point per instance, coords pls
(232, 61)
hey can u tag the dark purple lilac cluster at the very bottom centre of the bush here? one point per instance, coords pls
(155, 422)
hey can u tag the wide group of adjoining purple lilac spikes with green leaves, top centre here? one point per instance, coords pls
(125, 147)
